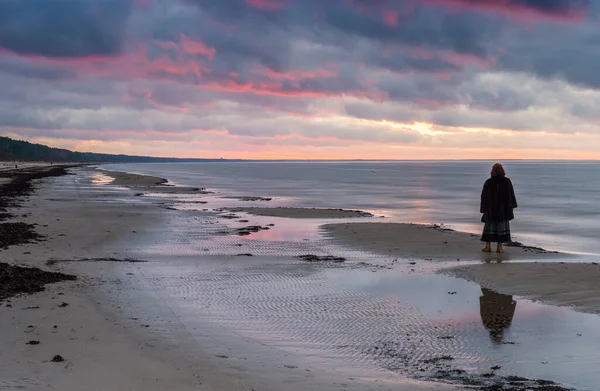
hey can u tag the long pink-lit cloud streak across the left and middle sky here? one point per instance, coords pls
(181, 64)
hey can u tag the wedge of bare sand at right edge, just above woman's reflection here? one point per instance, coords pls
(575, 285)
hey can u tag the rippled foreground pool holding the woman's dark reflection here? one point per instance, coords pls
(414, 325)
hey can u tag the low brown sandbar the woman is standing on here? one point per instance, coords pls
(431, 242)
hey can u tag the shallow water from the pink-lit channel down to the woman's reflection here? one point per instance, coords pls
(375, 315)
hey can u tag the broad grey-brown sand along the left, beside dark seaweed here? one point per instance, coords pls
(80, 334)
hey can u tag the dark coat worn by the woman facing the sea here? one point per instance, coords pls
(497, 200)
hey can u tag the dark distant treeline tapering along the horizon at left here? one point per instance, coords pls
(25, 151)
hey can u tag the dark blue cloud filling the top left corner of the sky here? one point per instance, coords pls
(64, 28)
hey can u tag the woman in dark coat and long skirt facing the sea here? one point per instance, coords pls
(497, 203)
